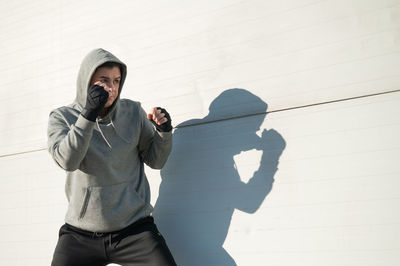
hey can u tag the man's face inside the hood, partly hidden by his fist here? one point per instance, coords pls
(109, 79)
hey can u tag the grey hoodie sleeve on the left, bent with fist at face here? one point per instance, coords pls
(68, 144)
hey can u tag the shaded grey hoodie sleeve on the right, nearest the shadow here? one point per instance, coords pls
(154, 146)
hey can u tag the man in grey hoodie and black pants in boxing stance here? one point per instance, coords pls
(102, 142)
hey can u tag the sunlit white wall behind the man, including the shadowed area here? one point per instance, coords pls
(328, 71)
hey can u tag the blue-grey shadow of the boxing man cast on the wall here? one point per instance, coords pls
(201, 186)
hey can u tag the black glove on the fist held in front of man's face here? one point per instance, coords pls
(96, 99)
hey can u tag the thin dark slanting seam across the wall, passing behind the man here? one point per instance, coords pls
(244, 116)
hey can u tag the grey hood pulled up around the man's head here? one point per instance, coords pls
(89, 65)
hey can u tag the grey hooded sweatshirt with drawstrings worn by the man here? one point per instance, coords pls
(106, 186)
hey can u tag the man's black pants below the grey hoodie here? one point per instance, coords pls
(139, 244)
